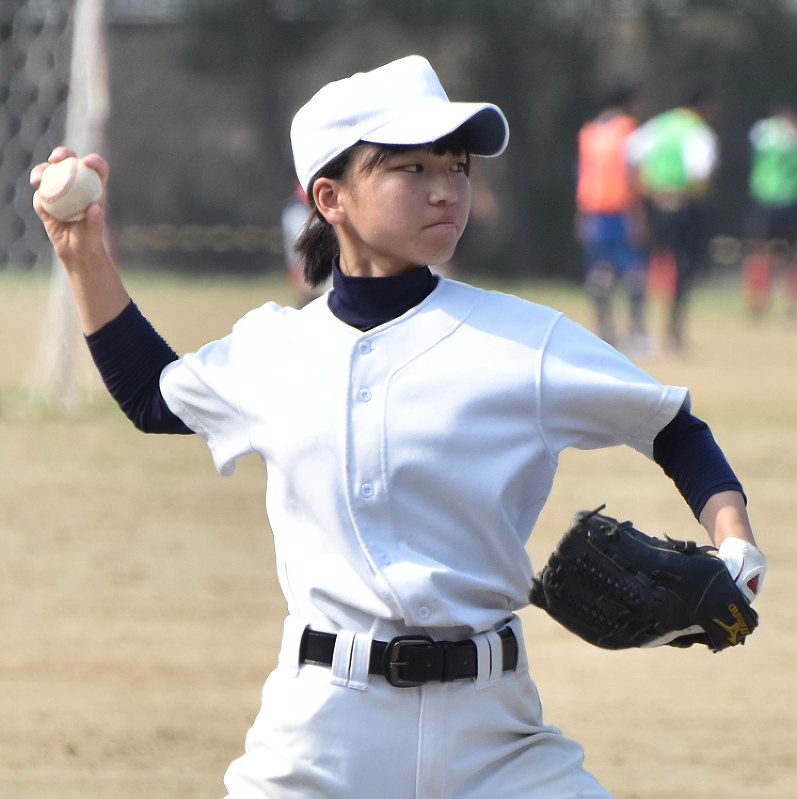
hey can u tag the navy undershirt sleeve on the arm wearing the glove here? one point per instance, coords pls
(687, 452)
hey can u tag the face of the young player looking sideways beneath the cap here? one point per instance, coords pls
(407, 211)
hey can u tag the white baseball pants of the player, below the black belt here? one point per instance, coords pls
(327, 733)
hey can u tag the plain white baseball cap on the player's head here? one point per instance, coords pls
(399, 103)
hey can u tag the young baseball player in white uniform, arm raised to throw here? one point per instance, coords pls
(411, 427)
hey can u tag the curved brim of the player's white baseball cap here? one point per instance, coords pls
(484, 126)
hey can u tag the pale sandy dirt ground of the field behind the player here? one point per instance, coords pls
(139, 612)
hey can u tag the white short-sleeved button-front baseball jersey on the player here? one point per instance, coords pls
(408, 464)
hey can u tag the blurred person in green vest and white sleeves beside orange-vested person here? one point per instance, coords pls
(674, 157)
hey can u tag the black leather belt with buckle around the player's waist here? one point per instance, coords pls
(412, 660)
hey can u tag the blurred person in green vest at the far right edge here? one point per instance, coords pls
(772, 223)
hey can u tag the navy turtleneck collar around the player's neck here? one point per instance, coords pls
(367, 302)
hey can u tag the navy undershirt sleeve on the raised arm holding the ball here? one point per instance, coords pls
(130, 356)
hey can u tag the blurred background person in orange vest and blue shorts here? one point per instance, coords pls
(610, 220)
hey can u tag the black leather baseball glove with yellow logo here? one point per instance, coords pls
(618, 588)
